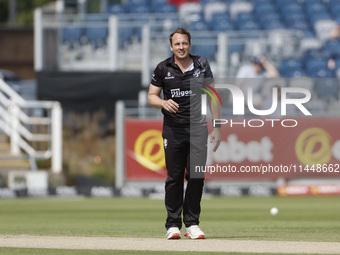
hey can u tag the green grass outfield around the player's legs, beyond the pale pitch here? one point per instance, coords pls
(244, 218)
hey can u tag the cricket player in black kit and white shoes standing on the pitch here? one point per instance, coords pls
(185, 132)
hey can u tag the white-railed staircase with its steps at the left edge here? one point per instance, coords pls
(30, 130)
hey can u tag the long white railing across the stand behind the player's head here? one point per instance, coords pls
(138, 53)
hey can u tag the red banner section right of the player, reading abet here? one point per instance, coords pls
(267, 150)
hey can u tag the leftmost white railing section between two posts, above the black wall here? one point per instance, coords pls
(104, 59)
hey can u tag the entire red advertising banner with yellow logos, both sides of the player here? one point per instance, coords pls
(251, 149)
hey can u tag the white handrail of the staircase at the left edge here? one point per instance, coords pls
(34, 127)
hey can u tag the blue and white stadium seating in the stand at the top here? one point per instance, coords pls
(314, 18)
